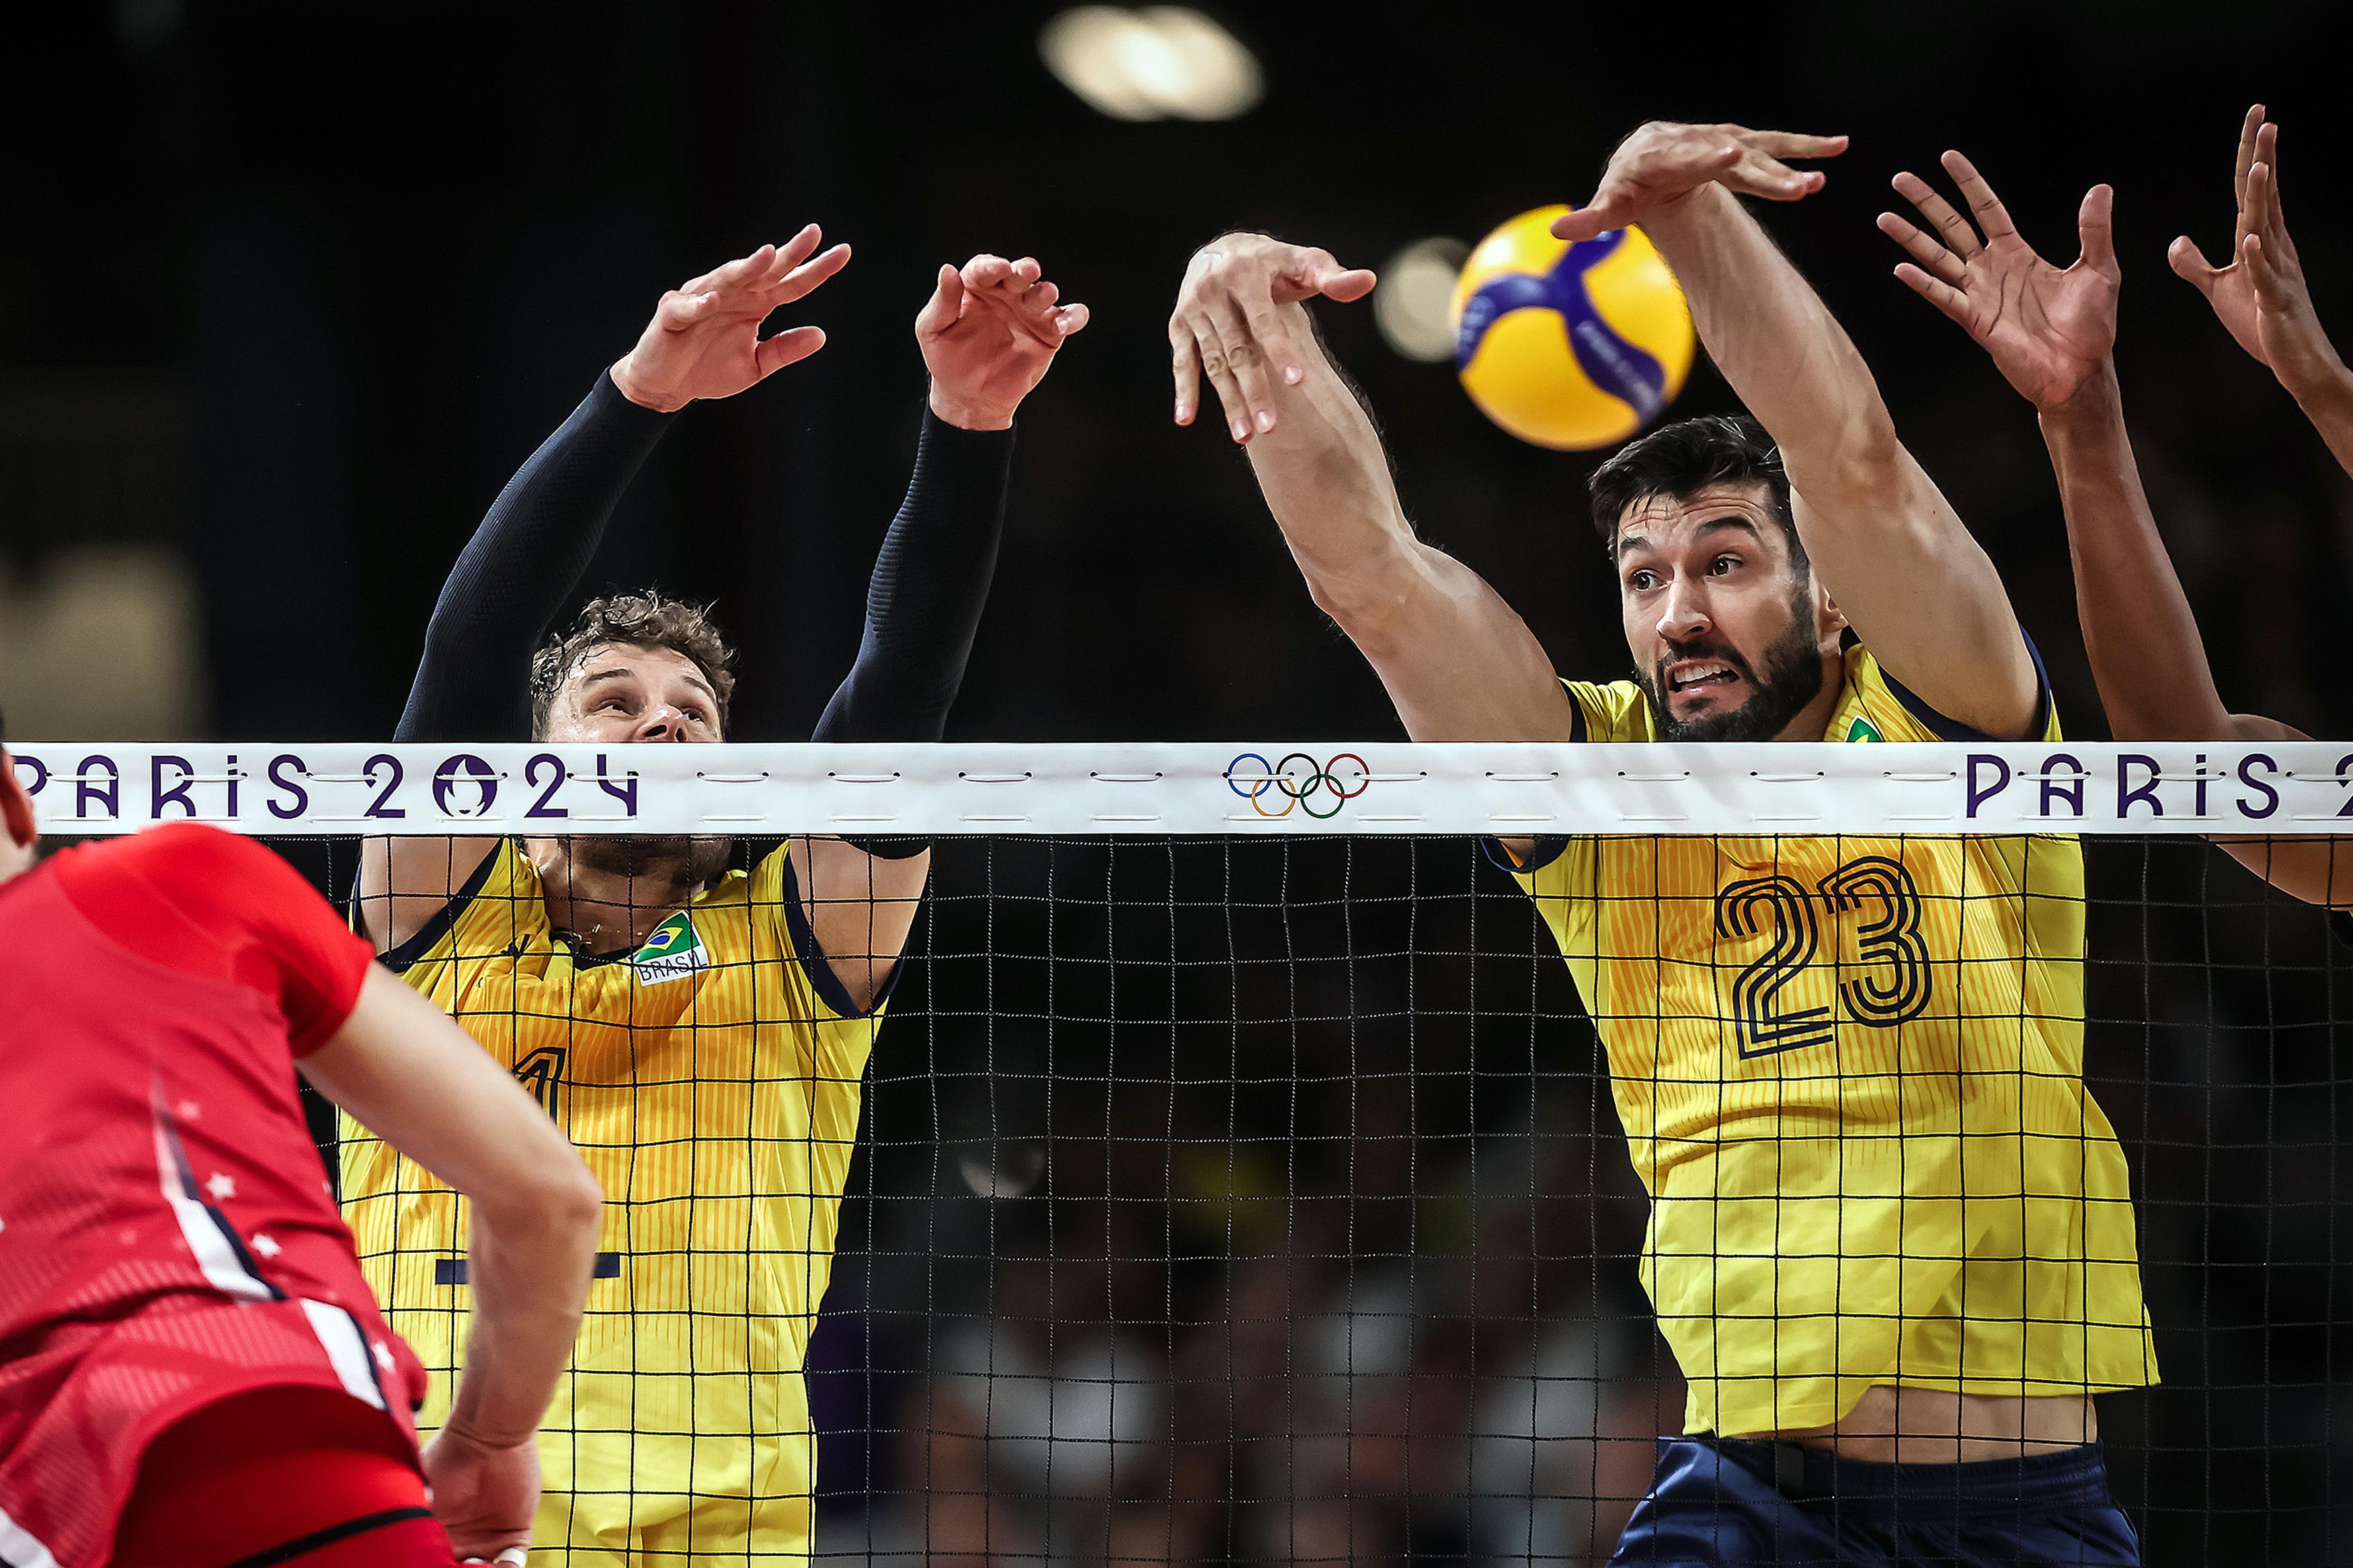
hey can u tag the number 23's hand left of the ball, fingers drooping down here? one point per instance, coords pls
(1227, 326)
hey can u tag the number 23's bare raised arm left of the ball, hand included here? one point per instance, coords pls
(1453, 655)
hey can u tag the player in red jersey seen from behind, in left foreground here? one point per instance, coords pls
(192, 1369)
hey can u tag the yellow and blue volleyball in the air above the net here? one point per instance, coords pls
(1564, 344)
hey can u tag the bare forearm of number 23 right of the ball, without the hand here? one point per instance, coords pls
(1778, 344)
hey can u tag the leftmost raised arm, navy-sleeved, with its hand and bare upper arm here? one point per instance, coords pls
(535, 544)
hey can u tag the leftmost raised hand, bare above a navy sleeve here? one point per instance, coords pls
(705, 340)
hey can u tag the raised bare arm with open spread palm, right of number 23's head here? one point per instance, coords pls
(2053, 337)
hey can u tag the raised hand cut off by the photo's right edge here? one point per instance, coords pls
(2260, 295)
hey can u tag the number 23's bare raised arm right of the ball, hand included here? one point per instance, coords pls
(1886, 542)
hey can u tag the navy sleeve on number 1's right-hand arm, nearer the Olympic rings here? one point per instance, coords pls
(928, 591)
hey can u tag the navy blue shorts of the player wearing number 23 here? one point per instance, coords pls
(1724, 1503)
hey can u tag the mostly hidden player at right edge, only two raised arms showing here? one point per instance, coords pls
(2053, 335)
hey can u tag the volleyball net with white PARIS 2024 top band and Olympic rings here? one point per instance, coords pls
(1239, 1172)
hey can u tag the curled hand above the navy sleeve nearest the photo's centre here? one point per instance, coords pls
(989, 335)
